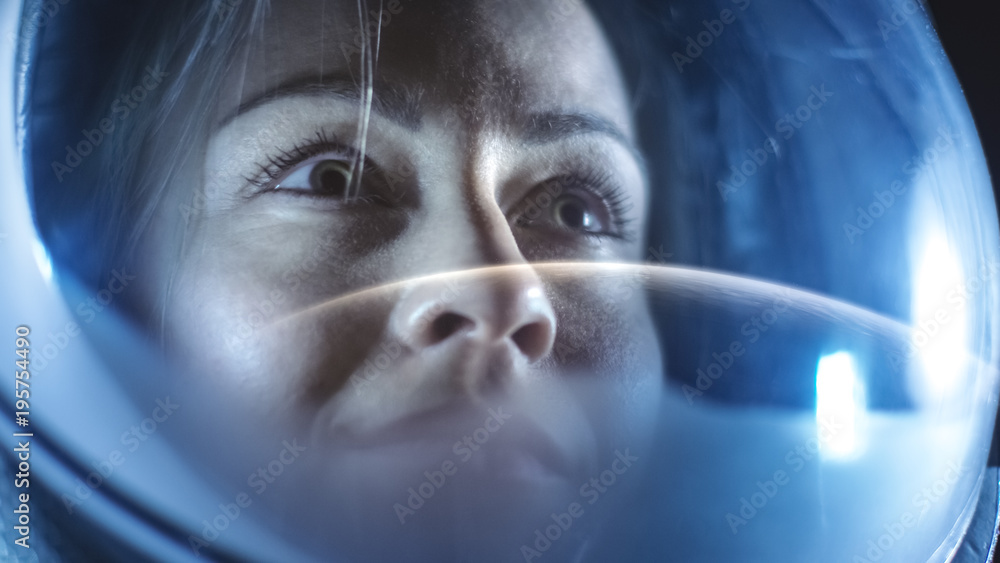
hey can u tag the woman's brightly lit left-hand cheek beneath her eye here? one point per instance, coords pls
(275, 322)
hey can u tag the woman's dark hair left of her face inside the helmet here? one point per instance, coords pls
(91, 209)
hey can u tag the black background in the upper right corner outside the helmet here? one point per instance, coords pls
(970, 33)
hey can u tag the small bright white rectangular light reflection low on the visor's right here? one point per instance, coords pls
(840, 404)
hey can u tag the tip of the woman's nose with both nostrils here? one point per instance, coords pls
(503, 306)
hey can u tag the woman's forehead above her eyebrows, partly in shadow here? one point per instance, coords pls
(496, 57)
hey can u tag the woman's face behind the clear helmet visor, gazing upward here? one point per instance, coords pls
(315, 281)
